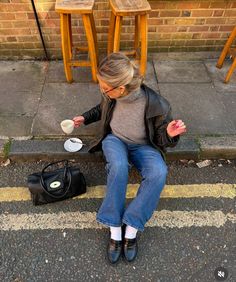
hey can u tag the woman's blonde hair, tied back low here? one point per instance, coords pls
(117, 70)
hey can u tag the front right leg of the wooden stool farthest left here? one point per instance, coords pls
(91, 45)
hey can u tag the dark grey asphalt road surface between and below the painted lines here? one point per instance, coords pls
(165, 254)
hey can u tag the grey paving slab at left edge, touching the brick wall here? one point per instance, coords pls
(21, 87)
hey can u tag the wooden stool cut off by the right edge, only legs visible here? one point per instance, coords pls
(231, 51)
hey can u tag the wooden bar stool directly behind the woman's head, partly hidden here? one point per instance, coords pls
(139, 9)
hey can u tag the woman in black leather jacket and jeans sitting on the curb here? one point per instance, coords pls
(136, 127)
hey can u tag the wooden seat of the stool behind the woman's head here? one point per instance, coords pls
(129, 7)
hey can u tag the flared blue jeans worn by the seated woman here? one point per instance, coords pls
(153, 169)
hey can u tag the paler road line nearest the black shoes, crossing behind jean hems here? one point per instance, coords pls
(84, 220)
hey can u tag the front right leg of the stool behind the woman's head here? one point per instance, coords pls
(143, 36)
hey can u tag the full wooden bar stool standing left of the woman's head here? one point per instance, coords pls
(85, 8)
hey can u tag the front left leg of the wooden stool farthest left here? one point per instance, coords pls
(65, 46)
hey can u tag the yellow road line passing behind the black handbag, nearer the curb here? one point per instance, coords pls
(10, 194)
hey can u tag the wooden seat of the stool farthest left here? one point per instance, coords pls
(74, 6)
